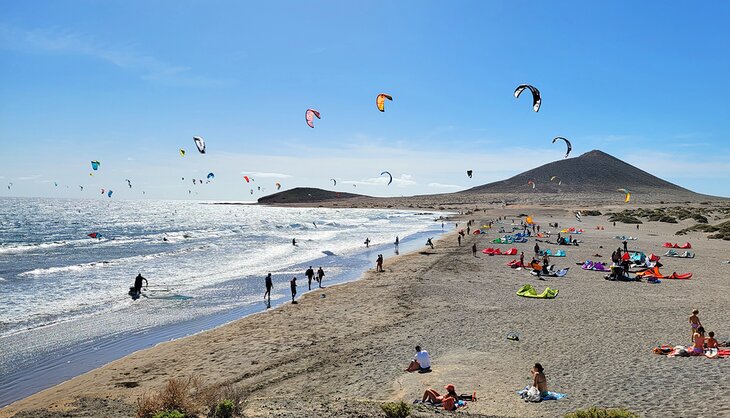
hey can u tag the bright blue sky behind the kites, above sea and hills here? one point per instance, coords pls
(129, 83)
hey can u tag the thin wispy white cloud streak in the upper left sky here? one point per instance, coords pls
(122, 56)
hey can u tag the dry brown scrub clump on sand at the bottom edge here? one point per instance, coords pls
(189, 397)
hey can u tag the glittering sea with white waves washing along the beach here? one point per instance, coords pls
(64, 306)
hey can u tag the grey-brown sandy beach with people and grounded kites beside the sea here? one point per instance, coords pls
(324, 354)
